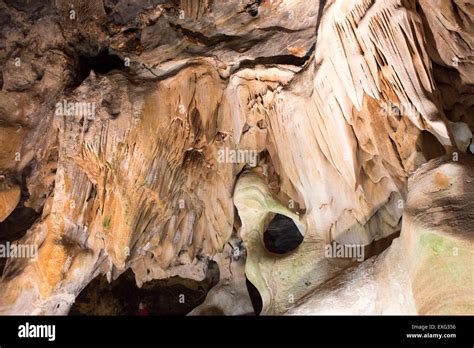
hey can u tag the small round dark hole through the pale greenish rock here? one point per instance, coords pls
(282, 235)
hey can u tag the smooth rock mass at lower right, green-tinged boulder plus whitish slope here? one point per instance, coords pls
(429, 269)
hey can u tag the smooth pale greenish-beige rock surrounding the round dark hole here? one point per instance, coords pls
(280, 279)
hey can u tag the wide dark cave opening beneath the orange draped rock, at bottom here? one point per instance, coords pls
(173, 296)
